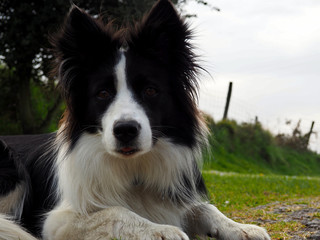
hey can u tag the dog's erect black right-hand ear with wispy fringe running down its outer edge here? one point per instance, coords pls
(164, 36)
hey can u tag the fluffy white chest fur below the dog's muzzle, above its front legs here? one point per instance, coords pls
(91, 179)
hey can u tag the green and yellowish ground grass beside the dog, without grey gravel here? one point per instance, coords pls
(238, 195)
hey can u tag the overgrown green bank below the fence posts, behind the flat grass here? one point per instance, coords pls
(248, 148)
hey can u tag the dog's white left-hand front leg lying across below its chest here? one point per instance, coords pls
(111, 223)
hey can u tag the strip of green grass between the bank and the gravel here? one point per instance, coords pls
(239, 191)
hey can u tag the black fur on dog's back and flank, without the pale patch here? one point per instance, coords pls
(31, 162)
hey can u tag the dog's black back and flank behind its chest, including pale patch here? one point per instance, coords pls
(27, 177)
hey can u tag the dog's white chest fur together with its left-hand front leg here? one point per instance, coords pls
(94, 184)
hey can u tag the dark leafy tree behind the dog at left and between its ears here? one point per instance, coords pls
(25, 26)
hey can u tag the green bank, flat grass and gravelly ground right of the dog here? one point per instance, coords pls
(255, 177)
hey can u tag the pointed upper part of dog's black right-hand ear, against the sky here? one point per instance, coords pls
(162, 34)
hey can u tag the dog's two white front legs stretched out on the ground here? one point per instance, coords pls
(121, 223)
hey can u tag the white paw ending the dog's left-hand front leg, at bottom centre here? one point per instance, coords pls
(164, 232)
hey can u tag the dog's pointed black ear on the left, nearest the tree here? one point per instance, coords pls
(82, 41)
